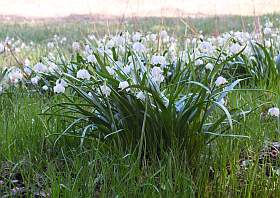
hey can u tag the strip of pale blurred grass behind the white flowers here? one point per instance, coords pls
(42, 31)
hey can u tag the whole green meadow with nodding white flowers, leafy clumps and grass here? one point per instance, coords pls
(140, 112)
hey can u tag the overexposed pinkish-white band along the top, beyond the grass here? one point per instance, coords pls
(131, 8)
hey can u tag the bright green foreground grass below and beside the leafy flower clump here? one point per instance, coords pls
(28, 154)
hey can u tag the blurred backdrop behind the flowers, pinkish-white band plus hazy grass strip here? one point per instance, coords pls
(77, 18)
